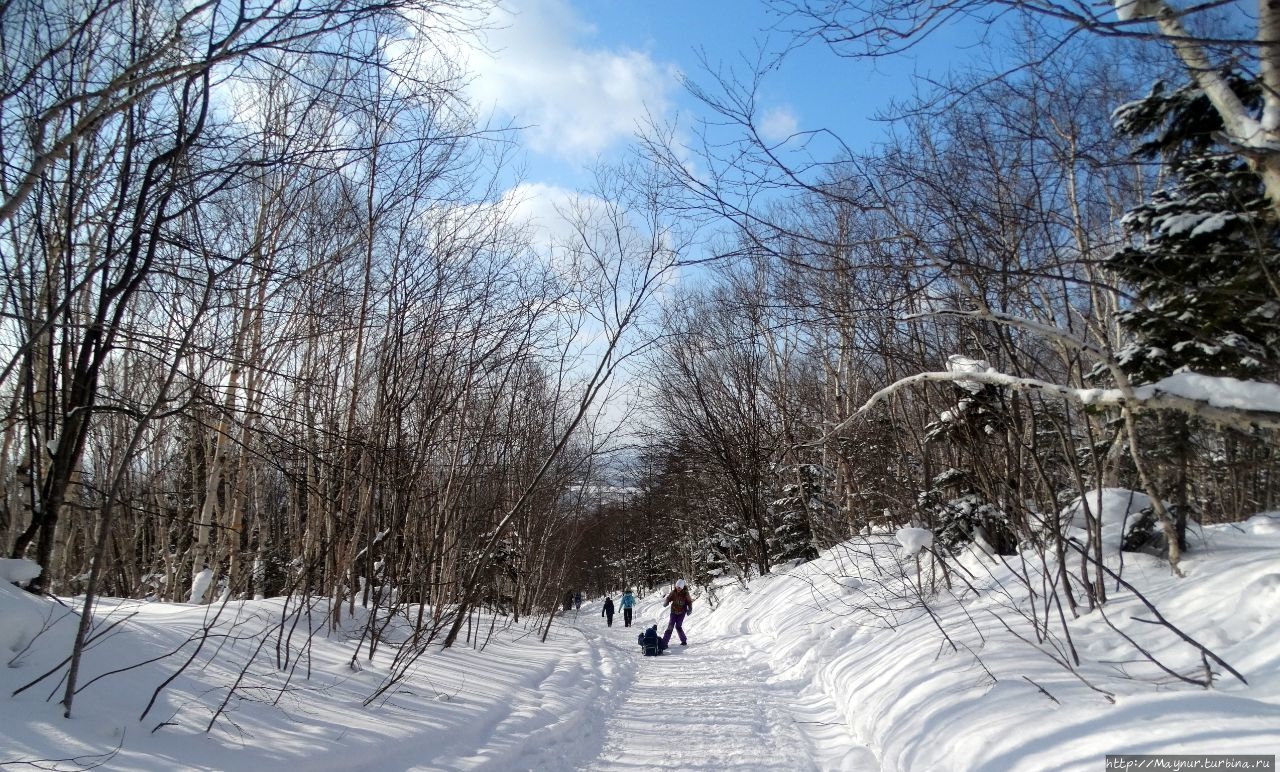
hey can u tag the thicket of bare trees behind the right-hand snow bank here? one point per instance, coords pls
(982, 239)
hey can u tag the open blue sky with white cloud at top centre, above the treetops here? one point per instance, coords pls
(583, 75)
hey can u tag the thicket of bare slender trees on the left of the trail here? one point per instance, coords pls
(271, 327)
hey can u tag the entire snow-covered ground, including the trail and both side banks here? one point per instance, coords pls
(815, 668)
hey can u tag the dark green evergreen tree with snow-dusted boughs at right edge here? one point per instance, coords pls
(1206, 253)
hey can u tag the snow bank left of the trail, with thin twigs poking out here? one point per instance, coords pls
(298, 701)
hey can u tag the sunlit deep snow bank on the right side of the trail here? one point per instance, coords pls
(947, 687)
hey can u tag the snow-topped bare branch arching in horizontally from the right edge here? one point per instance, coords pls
(1227, 401)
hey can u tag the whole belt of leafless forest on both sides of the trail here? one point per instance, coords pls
(273, 326)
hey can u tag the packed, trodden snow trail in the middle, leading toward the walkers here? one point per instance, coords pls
(712, 706)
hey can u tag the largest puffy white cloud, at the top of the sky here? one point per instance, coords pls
(574, 101)
